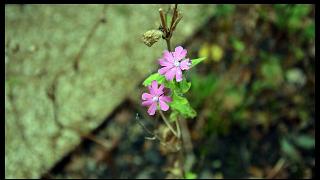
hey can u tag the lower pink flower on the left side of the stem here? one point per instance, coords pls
(156, 96)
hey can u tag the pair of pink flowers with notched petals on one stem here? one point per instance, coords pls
(173, 63)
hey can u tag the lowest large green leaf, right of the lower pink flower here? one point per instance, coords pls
(181, 104)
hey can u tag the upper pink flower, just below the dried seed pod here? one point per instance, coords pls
(173, 64)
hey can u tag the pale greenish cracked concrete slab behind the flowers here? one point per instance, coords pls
(67, 67)
